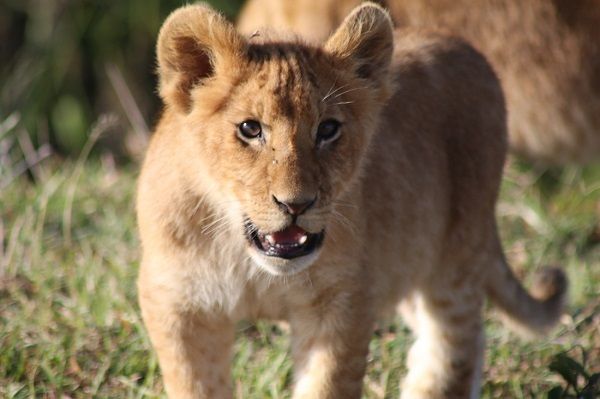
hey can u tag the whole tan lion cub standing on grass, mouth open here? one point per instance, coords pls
(322, 186)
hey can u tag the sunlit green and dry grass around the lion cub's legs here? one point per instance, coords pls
(70, 325)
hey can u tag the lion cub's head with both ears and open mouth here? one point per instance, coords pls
(275, 131)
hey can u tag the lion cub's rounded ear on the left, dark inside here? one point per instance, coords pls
(194, 43)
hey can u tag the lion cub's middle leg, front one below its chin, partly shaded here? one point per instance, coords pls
(330, 347)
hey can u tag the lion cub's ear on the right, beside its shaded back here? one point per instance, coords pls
(365, 40)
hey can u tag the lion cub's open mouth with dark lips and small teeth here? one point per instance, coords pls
(291, 242)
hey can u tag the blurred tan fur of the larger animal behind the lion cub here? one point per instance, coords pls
(545, 52)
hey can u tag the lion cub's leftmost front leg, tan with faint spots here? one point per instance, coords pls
(193, 349)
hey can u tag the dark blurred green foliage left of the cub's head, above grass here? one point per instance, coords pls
(66, 62)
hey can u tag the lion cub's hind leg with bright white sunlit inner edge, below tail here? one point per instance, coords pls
(446, 359)
